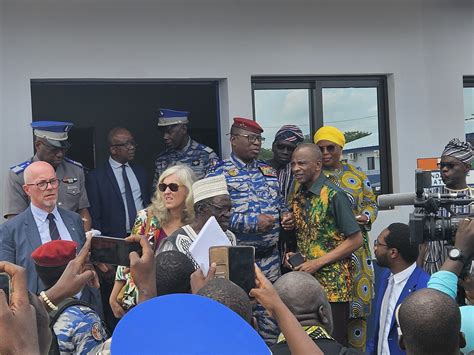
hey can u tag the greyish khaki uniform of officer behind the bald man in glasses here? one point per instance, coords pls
(72, 192)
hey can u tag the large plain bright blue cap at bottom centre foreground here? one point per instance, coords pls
(185, 324)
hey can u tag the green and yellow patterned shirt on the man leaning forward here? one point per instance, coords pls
(323, 218)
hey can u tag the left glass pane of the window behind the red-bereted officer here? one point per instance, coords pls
(275, 108)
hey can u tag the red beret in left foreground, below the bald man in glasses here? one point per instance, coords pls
(55, 253)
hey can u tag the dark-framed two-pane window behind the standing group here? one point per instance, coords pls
(356, 105)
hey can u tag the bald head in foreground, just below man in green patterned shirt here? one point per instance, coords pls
(306, 299)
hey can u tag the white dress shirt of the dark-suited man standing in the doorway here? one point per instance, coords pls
(135, 186)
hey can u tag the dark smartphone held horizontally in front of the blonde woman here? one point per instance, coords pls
(114, 251)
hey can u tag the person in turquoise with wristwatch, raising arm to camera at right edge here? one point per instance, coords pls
(446, 279)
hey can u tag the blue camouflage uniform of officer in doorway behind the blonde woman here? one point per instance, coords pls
(197, 156)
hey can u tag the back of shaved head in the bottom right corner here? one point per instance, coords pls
(430, 322)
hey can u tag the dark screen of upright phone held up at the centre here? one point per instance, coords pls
(241, 267)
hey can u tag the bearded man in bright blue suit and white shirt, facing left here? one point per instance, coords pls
(394, 251)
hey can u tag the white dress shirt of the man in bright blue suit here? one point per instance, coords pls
(396, 283)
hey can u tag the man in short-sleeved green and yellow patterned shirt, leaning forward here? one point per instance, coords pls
(327, 232)
